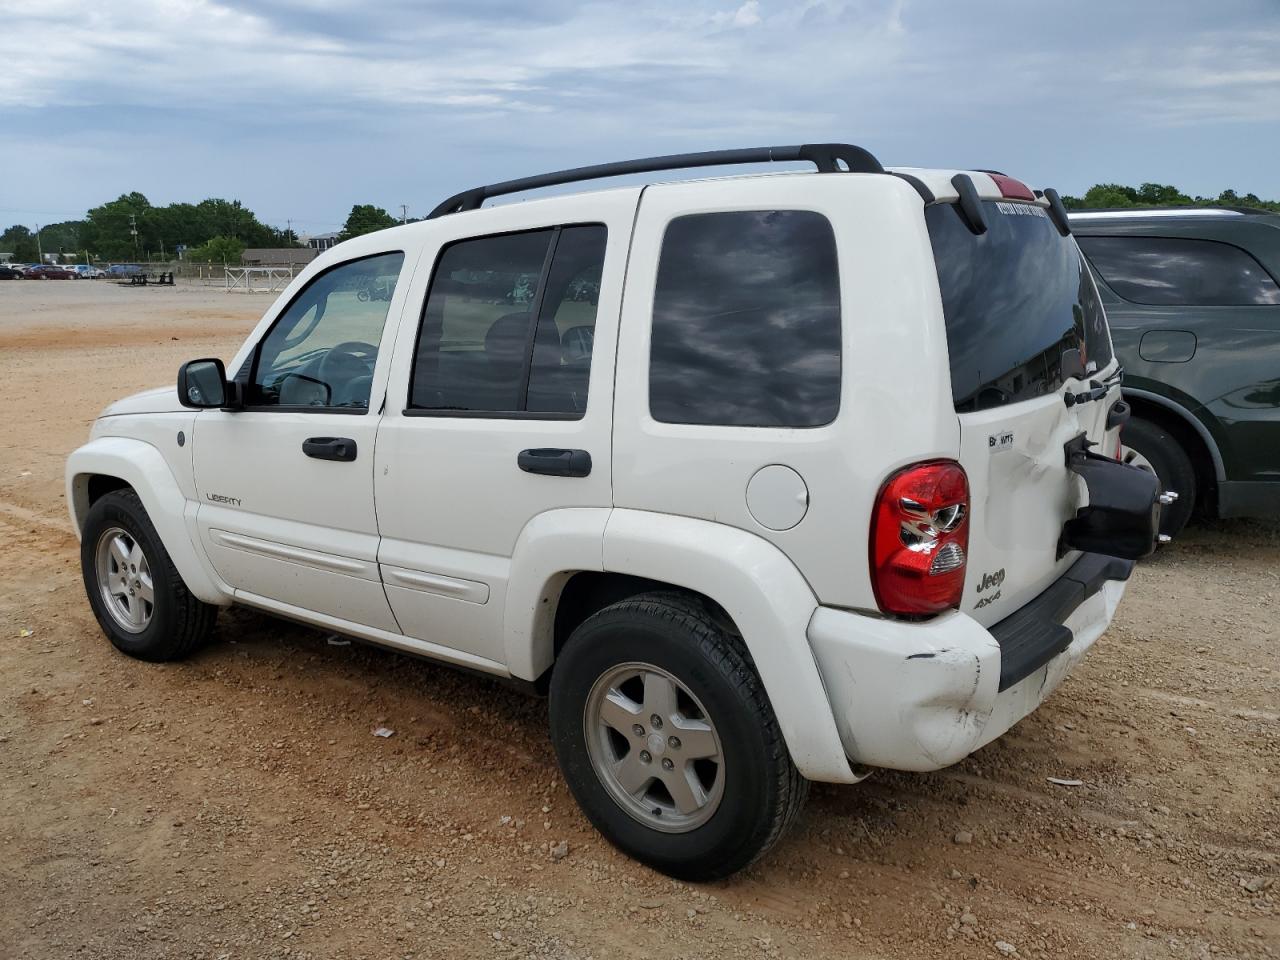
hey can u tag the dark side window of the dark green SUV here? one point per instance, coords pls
(1176, 272)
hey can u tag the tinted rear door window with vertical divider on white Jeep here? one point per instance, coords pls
(510, 323)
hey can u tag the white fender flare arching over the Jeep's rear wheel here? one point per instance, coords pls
(742, 579)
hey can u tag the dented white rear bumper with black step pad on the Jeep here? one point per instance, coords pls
(921, 697)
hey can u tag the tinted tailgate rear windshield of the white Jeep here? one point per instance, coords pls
(1014, 300)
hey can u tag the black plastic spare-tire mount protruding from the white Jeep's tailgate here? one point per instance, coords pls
(1123, 515)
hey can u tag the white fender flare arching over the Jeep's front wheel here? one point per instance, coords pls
(117, 463)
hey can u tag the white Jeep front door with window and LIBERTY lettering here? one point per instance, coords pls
(286, 484)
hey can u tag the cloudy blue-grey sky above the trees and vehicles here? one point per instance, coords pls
(303, 108)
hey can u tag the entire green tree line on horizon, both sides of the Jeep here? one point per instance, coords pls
(220, 231)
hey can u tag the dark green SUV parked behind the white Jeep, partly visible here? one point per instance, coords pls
(1195, 312)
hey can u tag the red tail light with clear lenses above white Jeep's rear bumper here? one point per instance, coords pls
(921, 540)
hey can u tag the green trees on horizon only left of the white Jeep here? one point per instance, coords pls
(131, 230)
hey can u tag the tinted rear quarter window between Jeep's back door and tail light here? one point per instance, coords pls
(747, 322)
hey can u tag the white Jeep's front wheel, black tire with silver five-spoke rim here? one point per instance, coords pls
(138, 595)
